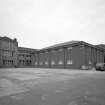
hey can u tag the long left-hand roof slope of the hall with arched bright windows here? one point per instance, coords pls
(61, 44)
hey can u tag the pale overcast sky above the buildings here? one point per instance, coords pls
(41, 23)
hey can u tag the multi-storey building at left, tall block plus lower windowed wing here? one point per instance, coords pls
(13, 56)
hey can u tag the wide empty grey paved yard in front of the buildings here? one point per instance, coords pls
(31, 86)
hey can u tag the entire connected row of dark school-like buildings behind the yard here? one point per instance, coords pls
(69, 55)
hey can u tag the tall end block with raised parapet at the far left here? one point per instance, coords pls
(8, 52)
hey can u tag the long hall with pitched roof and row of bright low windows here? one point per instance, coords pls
(70, 55)
